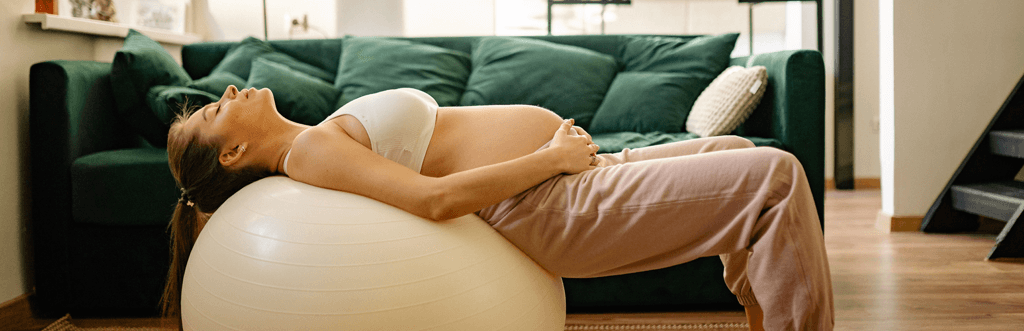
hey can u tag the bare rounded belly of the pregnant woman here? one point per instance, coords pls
(468, 138)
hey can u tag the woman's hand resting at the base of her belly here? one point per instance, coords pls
(577, 153)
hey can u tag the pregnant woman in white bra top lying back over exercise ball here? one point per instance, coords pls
(537, 180)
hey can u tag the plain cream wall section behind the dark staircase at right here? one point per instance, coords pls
(954, 65)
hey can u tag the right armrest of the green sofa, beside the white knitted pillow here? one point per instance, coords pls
(793, 111)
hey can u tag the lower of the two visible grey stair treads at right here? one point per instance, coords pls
(999, 200)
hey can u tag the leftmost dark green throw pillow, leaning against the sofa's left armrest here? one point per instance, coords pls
(140, 65)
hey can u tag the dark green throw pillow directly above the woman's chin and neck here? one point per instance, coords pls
(300, 98)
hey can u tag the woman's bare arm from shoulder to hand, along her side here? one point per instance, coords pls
(352, 168)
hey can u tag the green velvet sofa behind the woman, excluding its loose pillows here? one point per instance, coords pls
(102, 196)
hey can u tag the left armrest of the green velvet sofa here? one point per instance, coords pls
(71, 114)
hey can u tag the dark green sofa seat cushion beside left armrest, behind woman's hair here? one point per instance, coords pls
(123, 188)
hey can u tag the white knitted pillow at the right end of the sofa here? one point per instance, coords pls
(728, 102)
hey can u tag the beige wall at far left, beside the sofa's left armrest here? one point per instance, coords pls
(23, 46)
